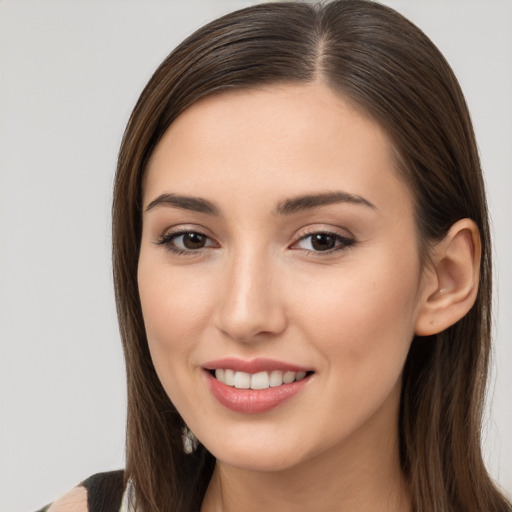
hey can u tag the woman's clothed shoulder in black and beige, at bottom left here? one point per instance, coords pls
(102, 492)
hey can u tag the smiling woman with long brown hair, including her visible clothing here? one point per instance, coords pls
(302, 268)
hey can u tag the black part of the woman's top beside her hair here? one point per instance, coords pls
(105, 491)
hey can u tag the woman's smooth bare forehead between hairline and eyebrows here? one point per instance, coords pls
(272, 142)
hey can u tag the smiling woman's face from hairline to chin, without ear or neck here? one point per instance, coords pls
(279, 254)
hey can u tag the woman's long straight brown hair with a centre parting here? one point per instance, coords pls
(386, 65)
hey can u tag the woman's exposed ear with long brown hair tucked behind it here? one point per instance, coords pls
(450, 284)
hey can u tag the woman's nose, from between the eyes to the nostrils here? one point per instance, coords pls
(251, 305)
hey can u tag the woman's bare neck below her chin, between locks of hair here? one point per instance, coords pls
(362, 474)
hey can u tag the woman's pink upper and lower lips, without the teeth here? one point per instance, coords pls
(253, 401)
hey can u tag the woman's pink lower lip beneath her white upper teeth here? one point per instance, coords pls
(253, 401)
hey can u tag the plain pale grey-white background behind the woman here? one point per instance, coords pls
(70, 72)
